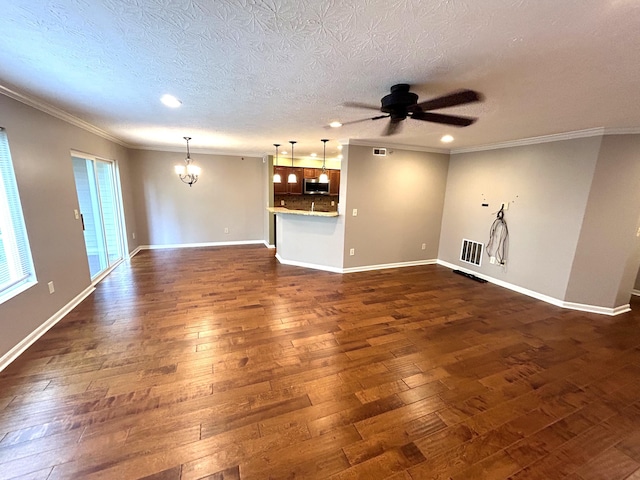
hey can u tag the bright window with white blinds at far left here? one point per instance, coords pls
(16, 266)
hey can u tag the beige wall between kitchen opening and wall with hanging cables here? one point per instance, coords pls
(399, 199)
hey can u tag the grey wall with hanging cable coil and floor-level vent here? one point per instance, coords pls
(547, 186)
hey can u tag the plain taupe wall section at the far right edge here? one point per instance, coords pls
(608, 251)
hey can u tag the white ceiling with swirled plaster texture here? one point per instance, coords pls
(254, 72)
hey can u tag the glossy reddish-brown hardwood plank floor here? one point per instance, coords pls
(220, 363)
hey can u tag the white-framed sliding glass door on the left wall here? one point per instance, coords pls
(100, 211)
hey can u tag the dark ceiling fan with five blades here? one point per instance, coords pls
(401, 103)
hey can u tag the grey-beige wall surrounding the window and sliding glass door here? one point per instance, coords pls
(40, 146)
